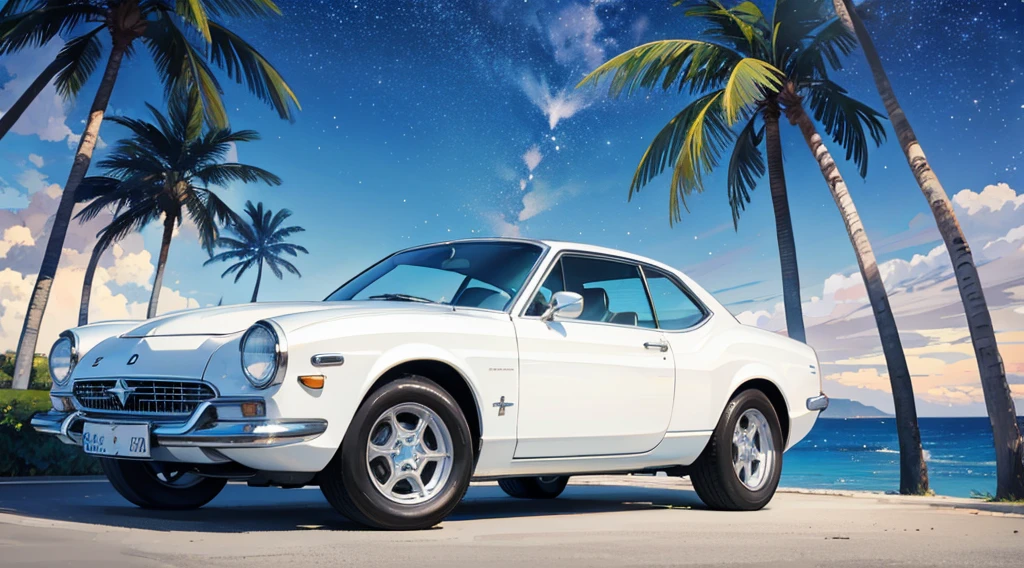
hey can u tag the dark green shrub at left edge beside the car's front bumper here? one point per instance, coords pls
(25, 452)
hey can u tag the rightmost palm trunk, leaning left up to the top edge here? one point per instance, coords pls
(999, 400)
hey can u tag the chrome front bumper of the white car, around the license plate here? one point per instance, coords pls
(205, 428)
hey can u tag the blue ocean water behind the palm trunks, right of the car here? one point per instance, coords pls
(864, 454)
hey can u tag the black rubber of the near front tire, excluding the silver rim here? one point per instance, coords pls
(347, 483)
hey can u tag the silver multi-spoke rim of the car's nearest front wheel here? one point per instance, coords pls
(409, 454)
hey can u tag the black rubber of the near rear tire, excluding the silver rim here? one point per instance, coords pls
(713, 475)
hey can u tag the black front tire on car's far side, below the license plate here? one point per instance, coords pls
(141, 484)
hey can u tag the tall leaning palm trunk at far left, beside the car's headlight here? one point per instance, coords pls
(41, 292)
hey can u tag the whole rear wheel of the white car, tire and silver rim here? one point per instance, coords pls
(741, 468)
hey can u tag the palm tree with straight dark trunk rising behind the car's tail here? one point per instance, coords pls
(701, 66)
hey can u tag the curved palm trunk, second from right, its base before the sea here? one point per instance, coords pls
(914, 471)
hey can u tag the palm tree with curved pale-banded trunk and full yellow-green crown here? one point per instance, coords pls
(760, 68)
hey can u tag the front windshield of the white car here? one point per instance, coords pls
(483, 275)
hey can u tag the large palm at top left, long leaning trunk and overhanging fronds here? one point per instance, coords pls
(184, 40)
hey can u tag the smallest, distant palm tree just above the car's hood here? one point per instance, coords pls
(262, 241)
